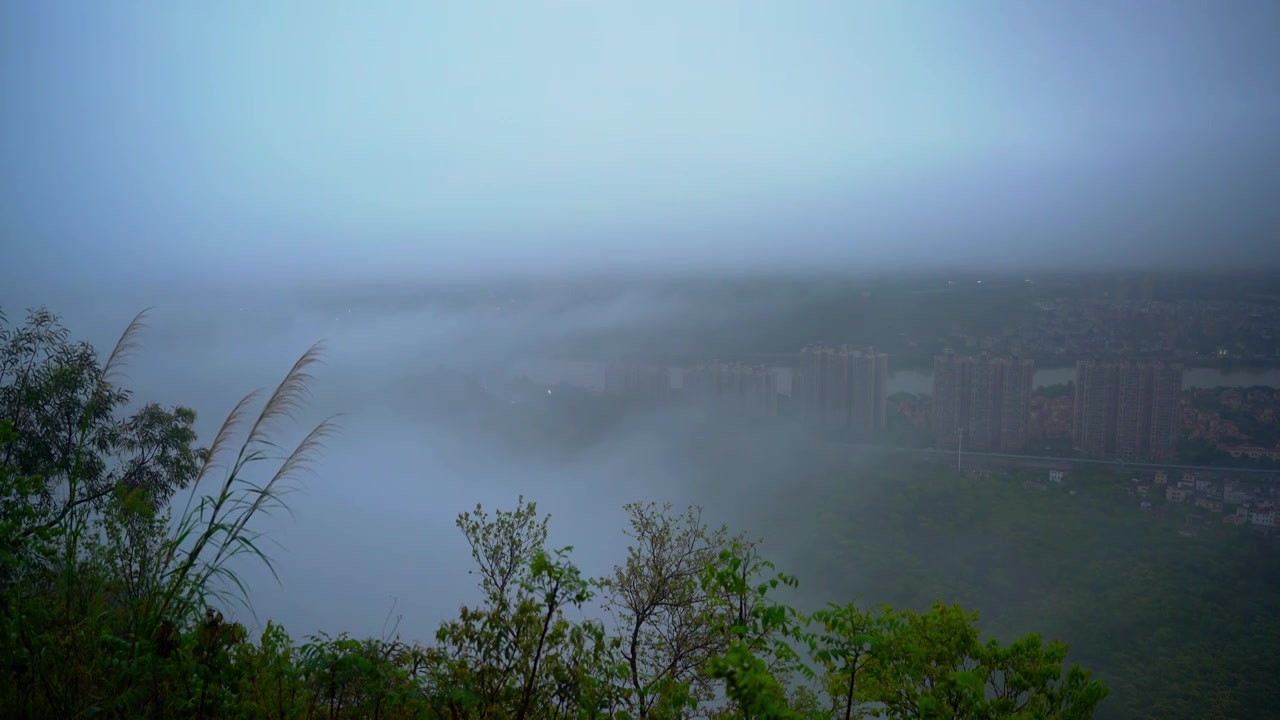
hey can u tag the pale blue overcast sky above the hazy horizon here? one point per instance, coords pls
(179, 142)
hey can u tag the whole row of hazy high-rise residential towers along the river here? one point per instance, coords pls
(1122, 408)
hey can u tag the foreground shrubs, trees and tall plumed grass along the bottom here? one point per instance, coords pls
(116, 535)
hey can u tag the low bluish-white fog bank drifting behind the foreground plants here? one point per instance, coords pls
(373, 522)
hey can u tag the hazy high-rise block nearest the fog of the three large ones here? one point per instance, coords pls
(843, 390)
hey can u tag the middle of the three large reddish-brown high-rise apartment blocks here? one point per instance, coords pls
(985, 398)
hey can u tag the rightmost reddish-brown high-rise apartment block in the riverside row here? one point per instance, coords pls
(1128, 409)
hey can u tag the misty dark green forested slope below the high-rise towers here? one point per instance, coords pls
(1178, 626)
